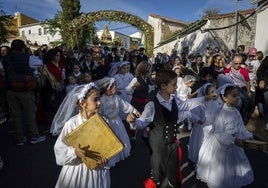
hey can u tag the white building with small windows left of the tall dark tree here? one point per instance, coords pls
(35, 35)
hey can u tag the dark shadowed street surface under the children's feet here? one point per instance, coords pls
(33, 166)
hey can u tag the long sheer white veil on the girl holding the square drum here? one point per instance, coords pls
(69, 107)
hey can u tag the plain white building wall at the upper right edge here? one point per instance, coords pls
(261, 38)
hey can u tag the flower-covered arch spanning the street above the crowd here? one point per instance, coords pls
(120, 16)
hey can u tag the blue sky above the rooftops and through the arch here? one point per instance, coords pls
(188, 11)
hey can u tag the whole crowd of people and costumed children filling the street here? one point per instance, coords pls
(210, 94)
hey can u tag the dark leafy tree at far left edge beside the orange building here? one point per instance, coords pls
(5, 23)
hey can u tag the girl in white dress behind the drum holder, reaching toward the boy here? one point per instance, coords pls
(111, 105)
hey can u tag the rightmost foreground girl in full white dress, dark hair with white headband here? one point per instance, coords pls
(221, 162)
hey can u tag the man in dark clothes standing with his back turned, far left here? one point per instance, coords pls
(21, 99)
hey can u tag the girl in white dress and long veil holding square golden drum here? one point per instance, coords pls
(74, 173)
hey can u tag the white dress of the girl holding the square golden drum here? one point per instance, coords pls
(74, 173)
